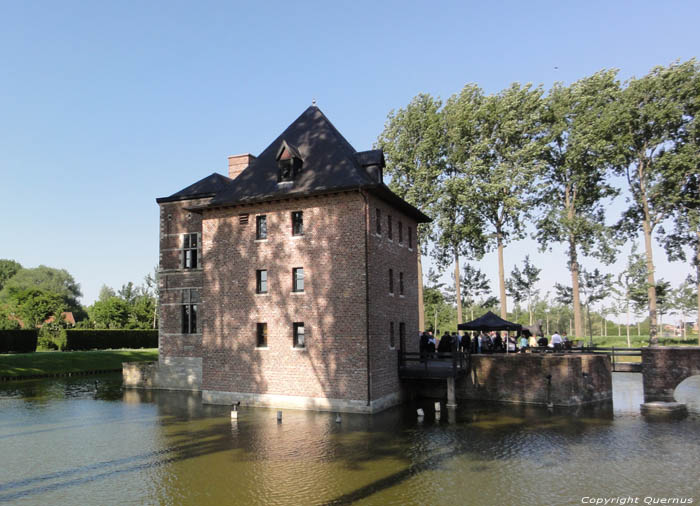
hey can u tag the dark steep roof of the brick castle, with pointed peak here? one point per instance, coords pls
(330, 164)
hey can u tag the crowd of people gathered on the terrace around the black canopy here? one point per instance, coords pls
(489, 342)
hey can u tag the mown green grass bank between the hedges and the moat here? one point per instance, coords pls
(57, 362)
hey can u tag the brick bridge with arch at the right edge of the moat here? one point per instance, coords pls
(663, 368)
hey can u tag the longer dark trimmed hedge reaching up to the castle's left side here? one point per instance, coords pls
(89, 339)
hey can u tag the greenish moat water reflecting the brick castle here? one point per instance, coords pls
(86, 441)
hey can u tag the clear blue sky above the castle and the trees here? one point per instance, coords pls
(105, 106)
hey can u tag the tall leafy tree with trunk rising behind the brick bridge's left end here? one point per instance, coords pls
(651, 117)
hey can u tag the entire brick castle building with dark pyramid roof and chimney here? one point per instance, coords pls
(293, 281)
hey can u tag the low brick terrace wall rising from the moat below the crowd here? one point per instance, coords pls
(565, 379)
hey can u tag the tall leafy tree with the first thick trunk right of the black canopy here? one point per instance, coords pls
(574, 182)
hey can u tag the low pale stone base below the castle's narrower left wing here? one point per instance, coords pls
(171, 373)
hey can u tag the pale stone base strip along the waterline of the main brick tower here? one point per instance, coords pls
(298, 402)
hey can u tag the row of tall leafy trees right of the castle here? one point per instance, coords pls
(484, 167)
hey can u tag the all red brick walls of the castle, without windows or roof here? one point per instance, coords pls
(339, 248)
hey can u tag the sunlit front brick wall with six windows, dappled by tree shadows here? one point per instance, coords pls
(334, 362)
